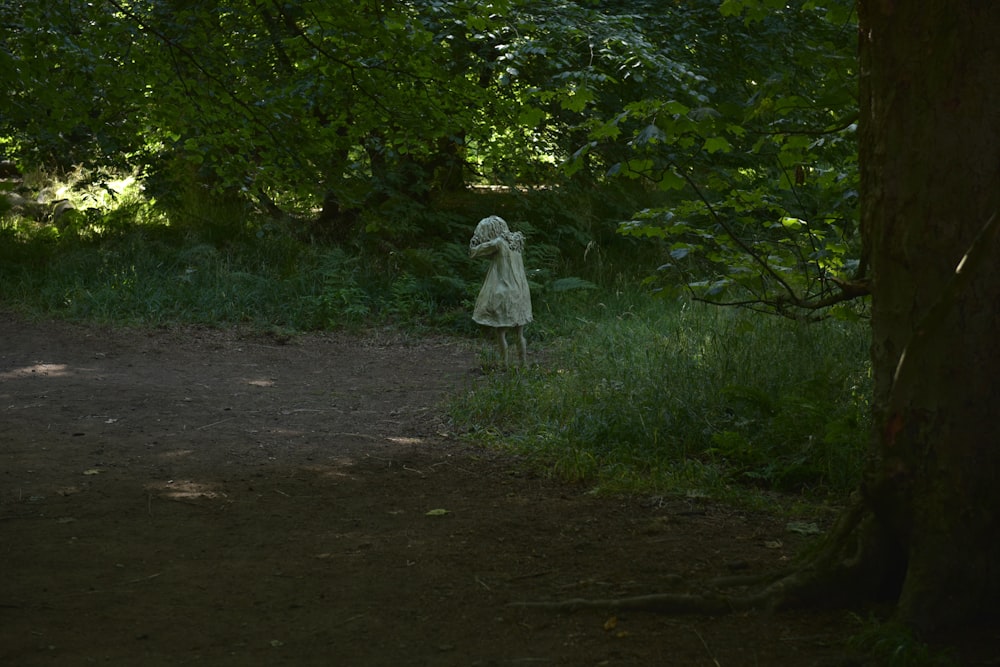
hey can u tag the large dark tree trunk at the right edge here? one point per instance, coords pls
(930, 169)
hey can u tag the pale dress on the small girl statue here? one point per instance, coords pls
(504, 300)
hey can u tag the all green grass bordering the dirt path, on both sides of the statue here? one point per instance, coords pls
(629, 392)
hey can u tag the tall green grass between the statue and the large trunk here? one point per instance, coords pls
(685, 397)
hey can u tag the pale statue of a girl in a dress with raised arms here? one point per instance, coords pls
(504, 301)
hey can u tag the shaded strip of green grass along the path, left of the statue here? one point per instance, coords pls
(154, 275)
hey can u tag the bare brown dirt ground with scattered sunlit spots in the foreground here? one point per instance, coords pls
(193, 496)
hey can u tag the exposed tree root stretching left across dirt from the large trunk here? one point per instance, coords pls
(843, 569)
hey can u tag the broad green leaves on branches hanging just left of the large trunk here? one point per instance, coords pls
(761, 160)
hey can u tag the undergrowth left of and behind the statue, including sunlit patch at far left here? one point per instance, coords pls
(121, 257)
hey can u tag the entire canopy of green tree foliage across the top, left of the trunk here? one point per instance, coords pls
(730, 127)
